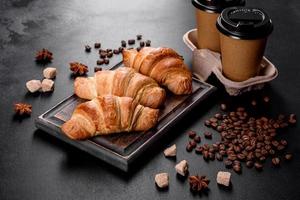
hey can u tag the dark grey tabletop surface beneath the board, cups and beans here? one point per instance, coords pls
(34, 165)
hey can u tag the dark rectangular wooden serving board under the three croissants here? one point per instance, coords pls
(121, 149)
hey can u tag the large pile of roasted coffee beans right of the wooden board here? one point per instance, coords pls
(244, 139)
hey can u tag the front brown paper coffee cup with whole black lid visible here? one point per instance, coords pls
(243, 37)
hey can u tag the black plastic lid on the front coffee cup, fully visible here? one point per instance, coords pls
(245, 23)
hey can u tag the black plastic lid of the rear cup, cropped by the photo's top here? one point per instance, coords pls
(216, 6)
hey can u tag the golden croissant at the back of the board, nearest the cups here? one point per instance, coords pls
(163, 65)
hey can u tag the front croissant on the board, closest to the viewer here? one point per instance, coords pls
(109, 114)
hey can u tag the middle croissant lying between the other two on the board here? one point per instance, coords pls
(121, 82)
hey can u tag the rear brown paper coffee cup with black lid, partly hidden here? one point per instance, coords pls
(207, 13)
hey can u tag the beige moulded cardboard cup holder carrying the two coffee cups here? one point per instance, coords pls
(206, 62)
